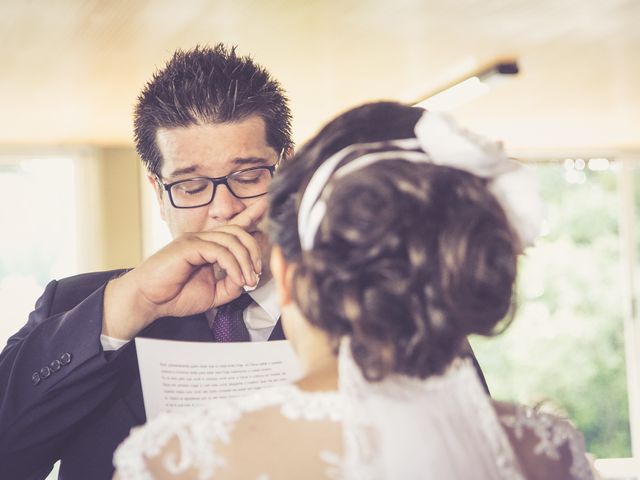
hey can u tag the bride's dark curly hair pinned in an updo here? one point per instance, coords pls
(409, 259)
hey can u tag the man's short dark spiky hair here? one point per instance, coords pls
(209, 85)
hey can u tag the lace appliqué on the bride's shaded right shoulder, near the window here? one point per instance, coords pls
(552, 433)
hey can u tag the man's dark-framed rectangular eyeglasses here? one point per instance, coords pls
(198, 192)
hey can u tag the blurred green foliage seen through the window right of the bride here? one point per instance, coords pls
(566, 345)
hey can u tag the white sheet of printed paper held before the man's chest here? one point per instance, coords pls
(178, 375)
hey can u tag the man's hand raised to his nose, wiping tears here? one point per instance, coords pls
(193, 273)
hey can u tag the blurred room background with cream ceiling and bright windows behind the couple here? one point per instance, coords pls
(74, 198)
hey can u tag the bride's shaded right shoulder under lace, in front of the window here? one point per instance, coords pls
(547, 446)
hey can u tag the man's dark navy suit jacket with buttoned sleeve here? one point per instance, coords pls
(85, 404)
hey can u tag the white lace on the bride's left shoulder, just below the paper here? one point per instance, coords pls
(199, 429)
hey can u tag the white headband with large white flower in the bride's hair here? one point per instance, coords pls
(439, 140)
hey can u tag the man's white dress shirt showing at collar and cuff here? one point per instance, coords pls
(260, 317)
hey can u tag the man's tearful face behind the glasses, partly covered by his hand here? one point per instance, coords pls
(211, 150)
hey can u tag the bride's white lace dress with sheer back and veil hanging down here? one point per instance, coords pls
(445, 427)
